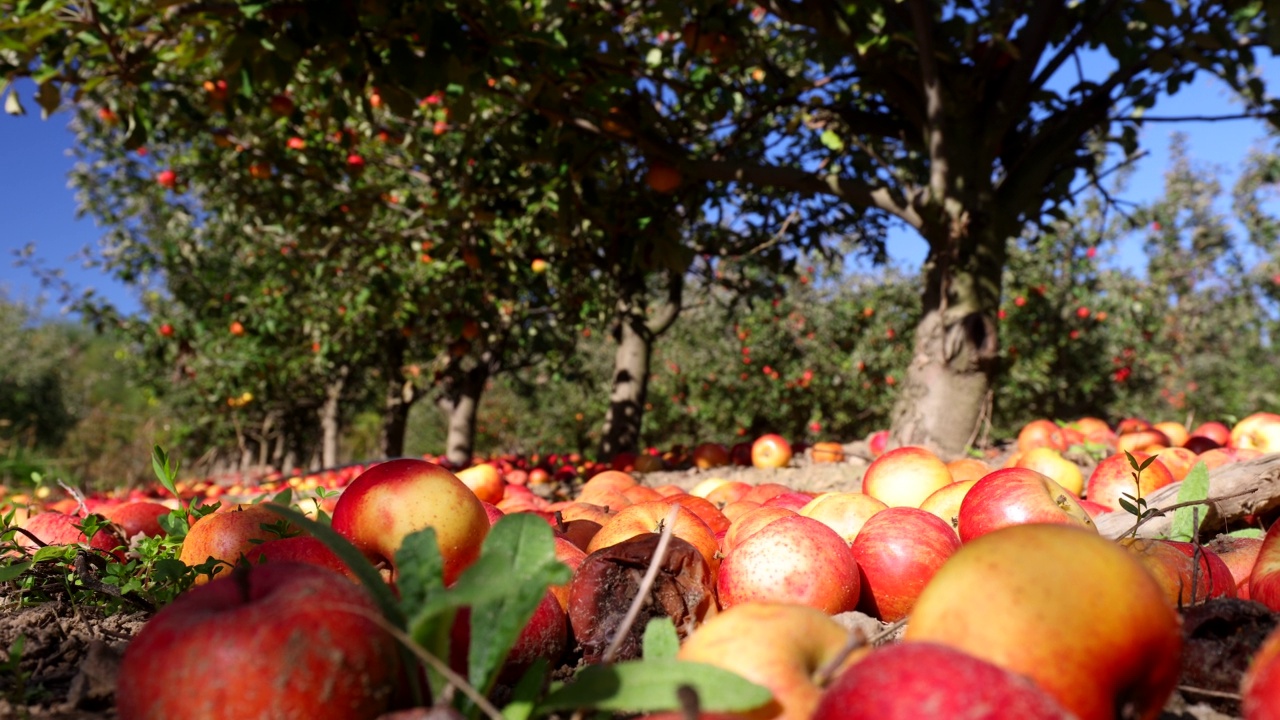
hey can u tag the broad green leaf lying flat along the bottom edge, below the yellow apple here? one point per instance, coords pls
(651, 686)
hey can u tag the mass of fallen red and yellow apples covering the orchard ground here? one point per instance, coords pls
(1014, 600)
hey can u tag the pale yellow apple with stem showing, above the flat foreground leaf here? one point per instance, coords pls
(780, 646)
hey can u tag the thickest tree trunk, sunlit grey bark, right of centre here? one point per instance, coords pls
(954, 361)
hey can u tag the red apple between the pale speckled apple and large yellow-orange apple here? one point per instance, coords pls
(898, 553)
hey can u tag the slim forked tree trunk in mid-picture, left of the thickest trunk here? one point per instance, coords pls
(630, 385)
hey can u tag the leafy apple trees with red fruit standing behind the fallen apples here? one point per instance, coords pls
(339, 206)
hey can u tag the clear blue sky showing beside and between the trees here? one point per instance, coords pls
(36, 207)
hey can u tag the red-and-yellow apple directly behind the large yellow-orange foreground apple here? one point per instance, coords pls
(1016, 496)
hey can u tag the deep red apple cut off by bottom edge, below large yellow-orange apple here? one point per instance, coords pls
(924, 680)
